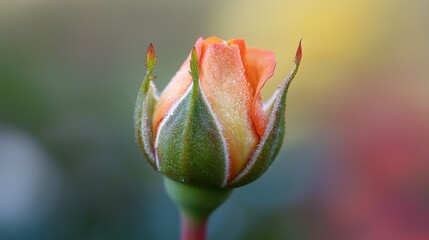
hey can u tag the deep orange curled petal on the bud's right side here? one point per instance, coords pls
(259, 68)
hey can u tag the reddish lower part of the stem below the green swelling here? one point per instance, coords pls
(192, 228)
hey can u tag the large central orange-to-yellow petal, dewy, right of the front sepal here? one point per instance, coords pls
(224, 83)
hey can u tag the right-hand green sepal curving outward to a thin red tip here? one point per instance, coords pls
(271, 142)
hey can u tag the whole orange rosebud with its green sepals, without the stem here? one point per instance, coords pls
(209, 126)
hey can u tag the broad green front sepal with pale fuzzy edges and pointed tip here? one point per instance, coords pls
(190, 147)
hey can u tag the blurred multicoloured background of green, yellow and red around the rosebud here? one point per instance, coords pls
(355, 160)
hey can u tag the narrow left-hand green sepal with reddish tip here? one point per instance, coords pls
(144, 108)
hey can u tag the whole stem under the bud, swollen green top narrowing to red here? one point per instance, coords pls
(195, 205)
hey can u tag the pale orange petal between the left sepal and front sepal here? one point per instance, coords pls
(175, 89)
